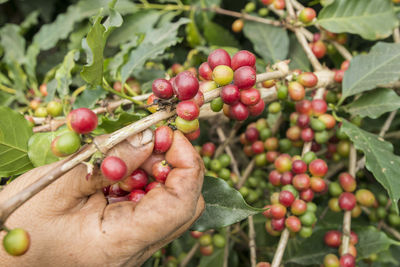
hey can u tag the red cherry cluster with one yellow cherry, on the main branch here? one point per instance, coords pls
(236, 76)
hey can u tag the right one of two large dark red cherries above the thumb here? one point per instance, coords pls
(185, 85)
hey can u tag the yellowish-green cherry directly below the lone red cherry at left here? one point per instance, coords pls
(65, 144)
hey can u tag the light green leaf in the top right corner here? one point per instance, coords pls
(371, 19)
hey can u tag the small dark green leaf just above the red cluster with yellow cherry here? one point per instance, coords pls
(218, 35)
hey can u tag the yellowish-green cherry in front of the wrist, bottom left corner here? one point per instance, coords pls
(16, 242)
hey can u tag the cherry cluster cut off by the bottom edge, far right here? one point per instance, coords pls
(333, 239)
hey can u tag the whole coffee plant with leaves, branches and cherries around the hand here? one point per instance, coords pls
(291, 104)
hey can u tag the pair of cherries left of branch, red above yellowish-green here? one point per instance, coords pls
(79, 121)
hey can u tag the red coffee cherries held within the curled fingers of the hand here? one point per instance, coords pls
(138, 183)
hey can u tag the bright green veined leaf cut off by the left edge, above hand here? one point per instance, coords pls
(14, 135)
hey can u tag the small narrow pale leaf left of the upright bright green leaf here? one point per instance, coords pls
(63, 74)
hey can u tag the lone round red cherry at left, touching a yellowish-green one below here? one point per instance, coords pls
(82, 120)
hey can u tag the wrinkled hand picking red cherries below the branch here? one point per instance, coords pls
(70, 223)
